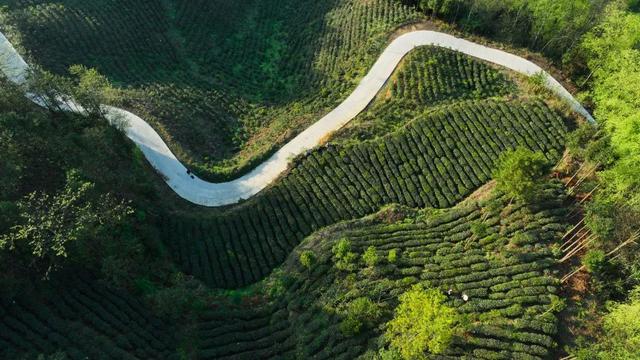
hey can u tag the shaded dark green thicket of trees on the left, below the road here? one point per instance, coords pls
(66, 196)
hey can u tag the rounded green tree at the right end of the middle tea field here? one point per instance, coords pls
(520, 172)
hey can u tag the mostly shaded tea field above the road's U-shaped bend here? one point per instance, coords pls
(224, 85)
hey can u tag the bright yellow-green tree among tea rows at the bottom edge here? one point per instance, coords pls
(422, 322)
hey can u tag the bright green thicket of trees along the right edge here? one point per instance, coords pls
(610, 73)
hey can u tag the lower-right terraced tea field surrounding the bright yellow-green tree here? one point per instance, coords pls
(506, 272)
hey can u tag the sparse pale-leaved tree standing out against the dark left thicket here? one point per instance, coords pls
(49, 224)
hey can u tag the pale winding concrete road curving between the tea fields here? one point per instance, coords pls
(205, 193)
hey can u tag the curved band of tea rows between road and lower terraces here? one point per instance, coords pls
(436, 160)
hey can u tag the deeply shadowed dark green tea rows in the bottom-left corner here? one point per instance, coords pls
(82, 319)
